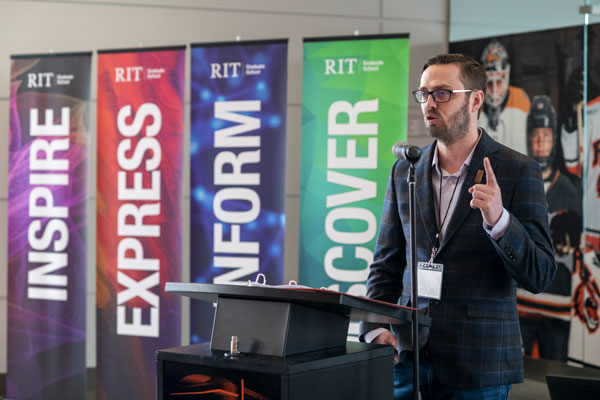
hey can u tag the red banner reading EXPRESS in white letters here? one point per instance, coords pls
(139, 227)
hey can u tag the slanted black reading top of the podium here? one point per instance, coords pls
(358, 308)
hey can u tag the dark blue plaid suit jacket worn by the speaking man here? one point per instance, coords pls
(474, 337)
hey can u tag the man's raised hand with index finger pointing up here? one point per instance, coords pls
(487, 197)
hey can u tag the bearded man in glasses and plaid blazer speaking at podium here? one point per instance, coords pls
(488, 206)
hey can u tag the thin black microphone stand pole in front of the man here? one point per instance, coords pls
(412, 179)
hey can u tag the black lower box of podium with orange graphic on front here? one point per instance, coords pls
(356, 371)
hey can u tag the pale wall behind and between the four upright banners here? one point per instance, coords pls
(28, 27)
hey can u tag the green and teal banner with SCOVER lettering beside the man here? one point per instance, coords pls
(354, 108)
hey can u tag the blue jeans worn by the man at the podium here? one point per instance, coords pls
(432, 388)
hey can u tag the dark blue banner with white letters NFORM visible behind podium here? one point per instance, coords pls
(237, 162)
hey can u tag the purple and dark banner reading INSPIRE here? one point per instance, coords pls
(47, 221)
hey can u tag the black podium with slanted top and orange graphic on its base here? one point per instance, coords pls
(292, 344)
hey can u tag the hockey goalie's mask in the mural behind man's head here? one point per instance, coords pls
(495, 62)
